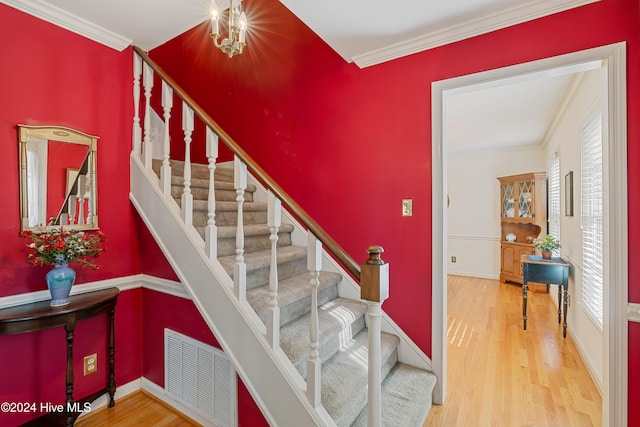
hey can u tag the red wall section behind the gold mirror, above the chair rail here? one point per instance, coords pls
(52, 76)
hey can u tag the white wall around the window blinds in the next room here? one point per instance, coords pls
(565, 140)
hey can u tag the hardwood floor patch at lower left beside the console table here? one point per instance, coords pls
(136, 409)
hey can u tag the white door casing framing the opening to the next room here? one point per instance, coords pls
(614, 396)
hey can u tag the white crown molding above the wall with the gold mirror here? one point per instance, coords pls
(59, 17)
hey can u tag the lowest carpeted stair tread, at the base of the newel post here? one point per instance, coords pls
(406, 397)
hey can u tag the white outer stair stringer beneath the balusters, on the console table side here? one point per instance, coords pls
(277, 388)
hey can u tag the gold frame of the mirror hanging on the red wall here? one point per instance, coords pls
(27, 133)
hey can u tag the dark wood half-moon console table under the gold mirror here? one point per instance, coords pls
(40, 315)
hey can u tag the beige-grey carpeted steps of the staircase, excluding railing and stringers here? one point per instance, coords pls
(406, 390)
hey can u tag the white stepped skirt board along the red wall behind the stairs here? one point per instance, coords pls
(408, 352)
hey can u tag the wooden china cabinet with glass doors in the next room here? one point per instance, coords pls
(523, 216)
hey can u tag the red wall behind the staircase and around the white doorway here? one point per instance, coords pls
(362, 137)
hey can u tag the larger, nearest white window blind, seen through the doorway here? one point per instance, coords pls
(592, 219)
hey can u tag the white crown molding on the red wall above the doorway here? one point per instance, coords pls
(470, 28)
